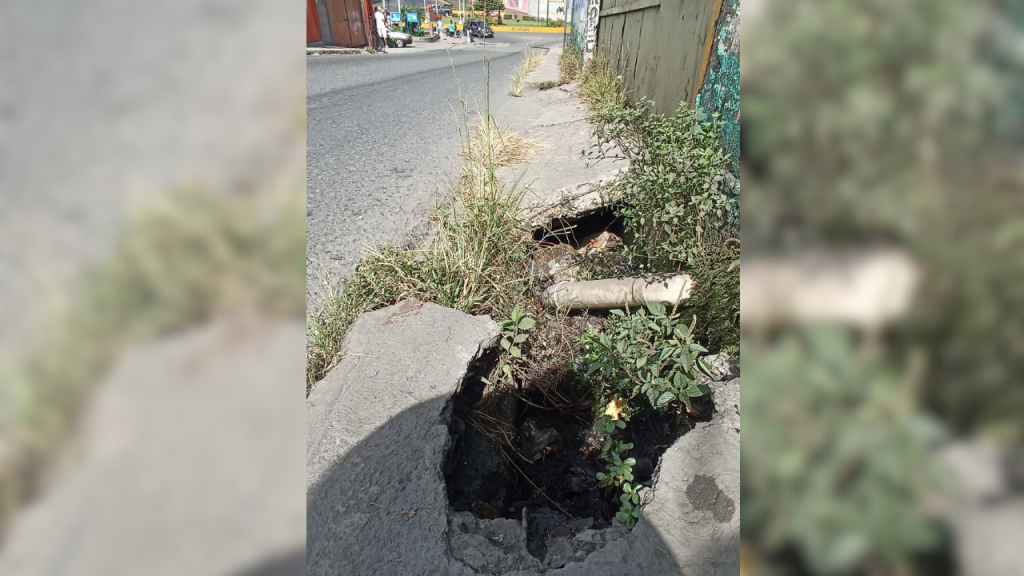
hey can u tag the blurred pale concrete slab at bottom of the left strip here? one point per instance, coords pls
(186, 464)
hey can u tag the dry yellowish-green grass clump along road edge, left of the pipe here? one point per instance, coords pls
(477, 264)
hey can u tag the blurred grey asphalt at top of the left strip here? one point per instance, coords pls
(118, 104)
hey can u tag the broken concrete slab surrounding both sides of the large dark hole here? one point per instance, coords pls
(378, 438)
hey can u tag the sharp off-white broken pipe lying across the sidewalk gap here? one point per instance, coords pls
(617, 294)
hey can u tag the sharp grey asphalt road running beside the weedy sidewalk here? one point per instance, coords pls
(382, 137)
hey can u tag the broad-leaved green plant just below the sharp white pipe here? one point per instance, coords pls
(647, 353)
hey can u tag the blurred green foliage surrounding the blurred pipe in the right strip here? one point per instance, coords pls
(880, 122)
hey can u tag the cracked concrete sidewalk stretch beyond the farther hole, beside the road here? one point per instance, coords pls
(562, 181)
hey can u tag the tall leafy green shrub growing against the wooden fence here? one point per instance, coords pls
(676, 208)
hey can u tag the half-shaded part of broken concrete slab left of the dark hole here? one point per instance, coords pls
(376, 439)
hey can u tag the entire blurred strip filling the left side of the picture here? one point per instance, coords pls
(152, 289)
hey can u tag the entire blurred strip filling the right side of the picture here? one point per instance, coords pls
(883, 289)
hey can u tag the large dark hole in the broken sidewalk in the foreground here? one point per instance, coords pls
(515, 456)
